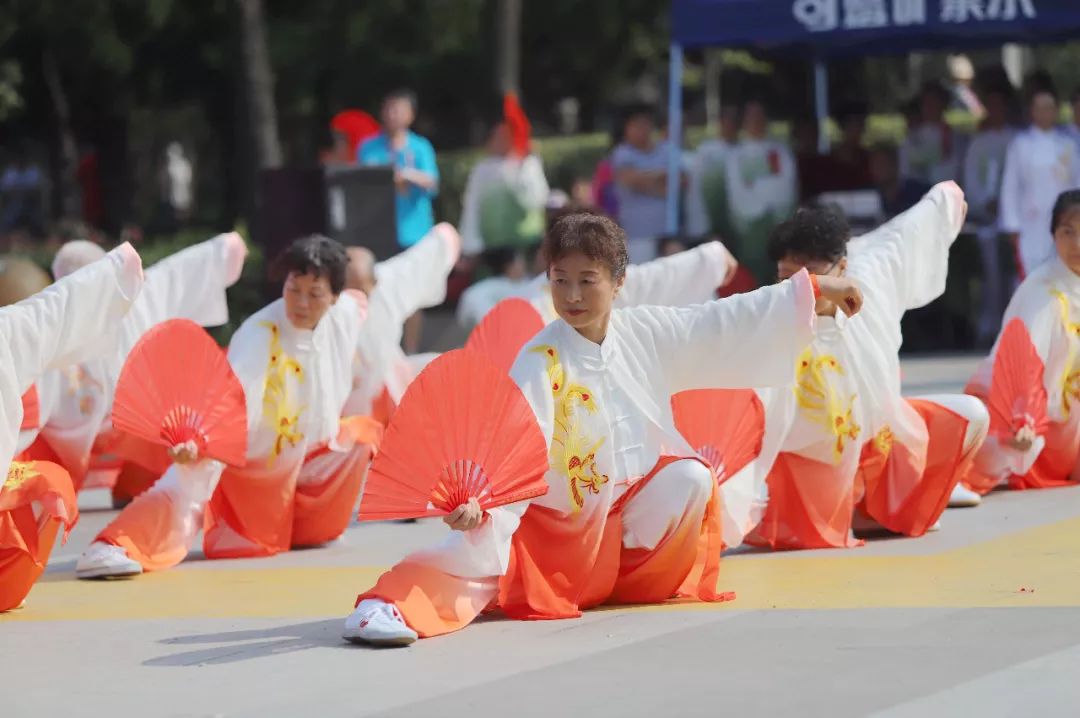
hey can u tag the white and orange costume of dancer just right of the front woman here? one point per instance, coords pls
(844, 438)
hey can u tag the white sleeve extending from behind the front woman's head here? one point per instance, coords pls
(688, 278)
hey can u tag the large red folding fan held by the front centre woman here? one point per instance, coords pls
(463, 430)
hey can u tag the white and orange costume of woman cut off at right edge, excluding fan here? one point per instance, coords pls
(1048, 303)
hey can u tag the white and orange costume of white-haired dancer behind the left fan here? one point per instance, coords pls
(76, 401)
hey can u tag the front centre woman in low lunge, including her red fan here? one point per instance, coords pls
(630, 513)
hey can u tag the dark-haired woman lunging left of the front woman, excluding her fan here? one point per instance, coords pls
(305, 463)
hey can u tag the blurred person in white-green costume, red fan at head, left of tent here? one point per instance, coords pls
(505, 198)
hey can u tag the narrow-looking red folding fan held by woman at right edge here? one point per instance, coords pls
(1018, 394)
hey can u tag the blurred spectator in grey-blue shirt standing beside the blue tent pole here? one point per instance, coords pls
(641, 179)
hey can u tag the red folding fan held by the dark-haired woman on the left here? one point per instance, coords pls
(178, 387)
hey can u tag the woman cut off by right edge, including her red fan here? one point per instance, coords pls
(1032, 381)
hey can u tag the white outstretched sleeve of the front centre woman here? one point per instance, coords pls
(745, 342)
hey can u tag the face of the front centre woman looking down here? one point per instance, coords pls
(584, 292)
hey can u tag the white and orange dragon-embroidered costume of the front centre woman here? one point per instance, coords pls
(632, 513)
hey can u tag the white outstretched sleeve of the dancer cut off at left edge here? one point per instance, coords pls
(63, 324)
